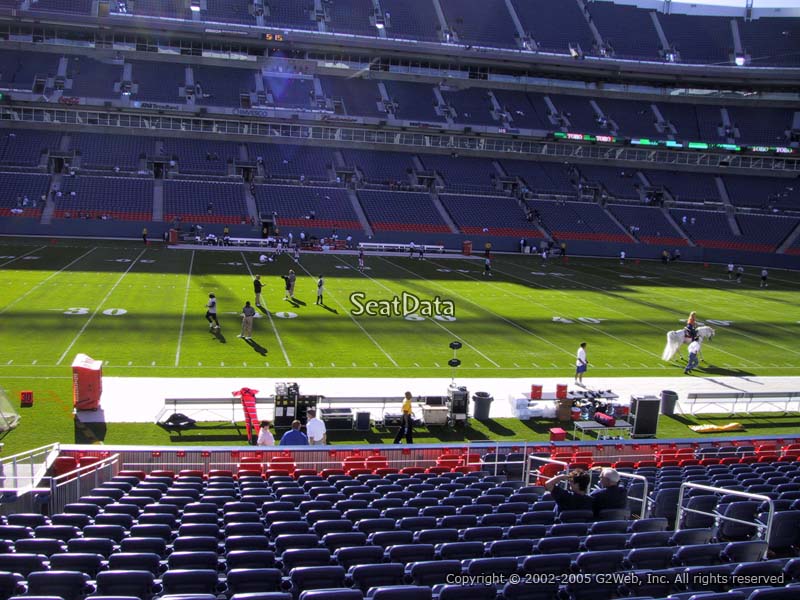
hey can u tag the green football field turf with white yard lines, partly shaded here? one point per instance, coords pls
(526, 321)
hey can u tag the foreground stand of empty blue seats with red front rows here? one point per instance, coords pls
(268, 525)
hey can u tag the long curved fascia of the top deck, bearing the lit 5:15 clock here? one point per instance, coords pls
(545, 64)
